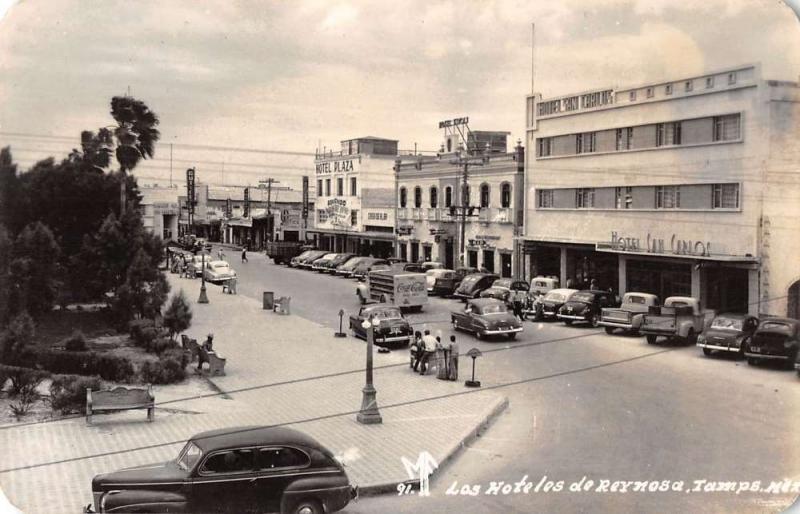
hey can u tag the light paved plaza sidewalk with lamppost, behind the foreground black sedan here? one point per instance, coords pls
(276, 373)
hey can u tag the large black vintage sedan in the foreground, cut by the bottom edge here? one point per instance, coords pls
(236, 470)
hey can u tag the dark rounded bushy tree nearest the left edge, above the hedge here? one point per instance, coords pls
(34, 270)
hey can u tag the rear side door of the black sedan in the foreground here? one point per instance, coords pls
(278, 466)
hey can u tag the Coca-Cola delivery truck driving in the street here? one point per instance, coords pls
(399, 288)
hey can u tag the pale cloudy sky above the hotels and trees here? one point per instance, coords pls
(293, 76)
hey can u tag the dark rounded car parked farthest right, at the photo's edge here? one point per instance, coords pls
(774, 339)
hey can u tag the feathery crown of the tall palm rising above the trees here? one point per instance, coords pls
(135, 132)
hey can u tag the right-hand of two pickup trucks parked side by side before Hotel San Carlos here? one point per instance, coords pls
(680, 317)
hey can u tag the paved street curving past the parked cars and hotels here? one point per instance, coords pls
(588, 404)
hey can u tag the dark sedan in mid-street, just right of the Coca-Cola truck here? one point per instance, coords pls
(486, 317)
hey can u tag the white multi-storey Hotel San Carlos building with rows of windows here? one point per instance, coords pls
(688, 186)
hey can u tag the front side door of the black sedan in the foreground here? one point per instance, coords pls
(225, 482)
